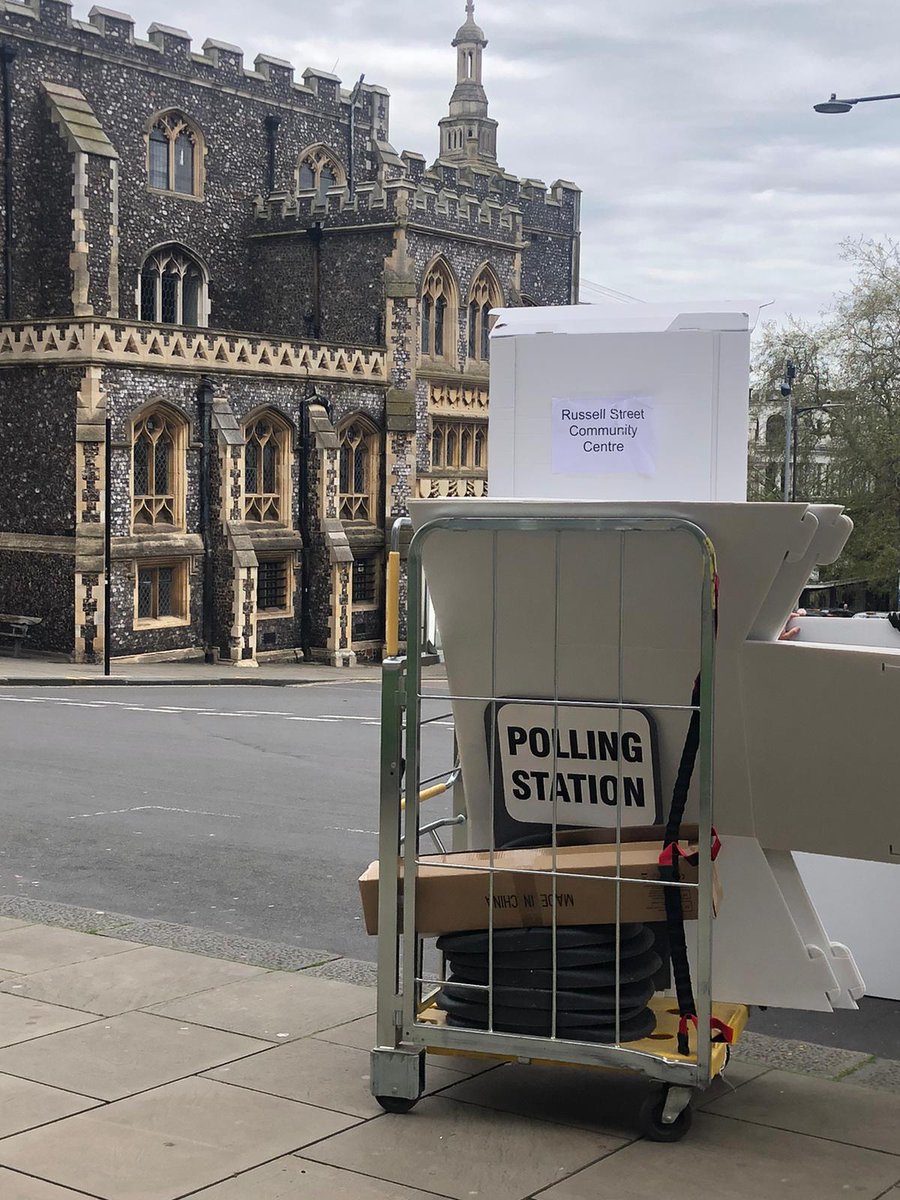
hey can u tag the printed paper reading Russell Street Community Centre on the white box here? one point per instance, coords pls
(603, 437)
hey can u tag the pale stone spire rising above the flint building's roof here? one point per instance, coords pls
(469, 135)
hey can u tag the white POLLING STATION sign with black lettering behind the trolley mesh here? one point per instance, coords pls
(596, 766)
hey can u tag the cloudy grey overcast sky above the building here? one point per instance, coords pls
(688, 124)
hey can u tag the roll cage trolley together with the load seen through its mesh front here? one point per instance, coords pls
(580, 656)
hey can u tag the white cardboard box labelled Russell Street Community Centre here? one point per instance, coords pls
(613, 404)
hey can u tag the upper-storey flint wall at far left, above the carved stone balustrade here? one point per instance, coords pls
(128, 82)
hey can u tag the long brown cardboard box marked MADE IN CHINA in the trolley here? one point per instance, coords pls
(452, 897)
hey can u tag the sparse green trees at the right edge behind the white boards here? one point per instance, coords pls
(849, 439)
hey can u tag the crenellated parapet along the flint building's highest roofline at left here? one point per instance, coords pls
(111, 34)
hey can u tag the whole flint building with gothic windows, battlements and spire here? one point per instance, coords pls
(280, 321)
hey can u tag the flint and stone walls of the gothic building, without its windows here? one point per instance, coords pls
(345, 268)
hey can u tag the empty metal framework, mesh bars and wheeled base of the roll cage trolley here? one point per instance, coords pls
(692, 1036)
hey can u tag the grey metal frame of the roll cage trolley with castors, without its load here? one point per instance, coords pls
(409, 1023)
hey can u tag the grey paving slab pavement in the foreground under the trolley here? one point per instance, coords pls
(139, 1072)
